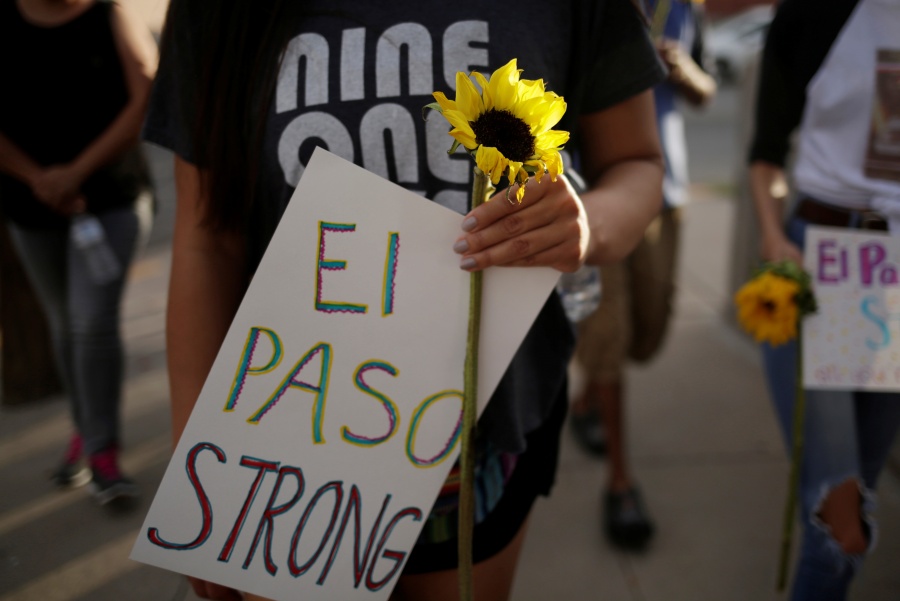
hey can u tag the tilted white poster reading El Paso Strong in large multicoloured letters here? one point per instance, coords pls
(331, 415)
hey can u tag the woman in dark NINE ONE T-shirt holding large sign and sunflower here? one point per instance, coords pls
(247, 89)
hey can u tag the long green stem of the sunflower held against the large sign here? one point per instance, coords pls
(480, 189)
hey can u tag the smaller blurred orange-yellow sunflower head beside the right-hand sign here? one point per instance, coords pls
(768, 309)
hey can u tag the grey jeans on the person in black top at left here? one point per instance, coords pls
(83, 317)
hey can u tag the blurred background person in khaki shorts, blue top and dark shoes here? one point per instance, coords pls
(637, 293)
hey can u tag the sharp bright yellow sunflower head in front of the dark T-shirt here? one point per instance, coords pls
(507, 126)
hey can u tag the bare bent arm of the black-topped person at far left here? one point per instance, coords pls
(137, 53)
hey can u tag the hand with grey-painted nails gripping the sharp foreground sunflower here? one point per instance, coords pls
(548, 228)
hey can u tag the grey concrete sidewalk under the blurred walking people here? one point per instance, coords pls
(704, 446)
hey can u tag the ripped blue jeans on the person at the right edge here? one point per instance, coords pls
(847, 436)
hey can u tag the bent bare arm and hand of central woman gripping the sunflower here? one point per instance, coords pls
(554, 226)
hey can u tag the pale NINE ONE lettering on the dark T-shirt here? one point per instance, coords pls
(363, 102)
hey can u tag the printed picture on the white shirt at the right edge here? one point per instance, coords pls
(883, 152)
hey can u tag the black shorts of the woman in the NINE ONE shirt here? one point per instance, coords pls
(533, 475)
